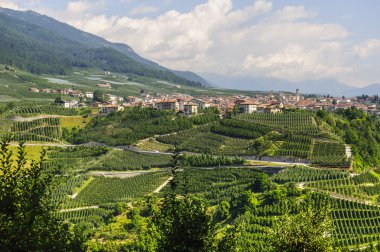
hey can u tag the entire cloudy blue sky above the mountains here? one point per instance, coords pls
(289, 39)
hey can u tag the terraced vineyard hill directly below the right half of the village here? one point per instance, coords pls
(288, 135)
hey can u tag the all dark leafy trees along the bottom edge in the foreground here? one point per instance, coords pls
(178, 222)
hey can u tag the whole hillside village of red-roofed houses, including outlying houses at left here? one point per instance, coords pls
(188, 105)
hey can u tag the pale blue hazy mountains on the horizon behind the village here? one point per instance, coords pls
(323, 86)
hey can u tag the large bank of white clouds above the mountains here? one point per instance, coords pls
(289, 43)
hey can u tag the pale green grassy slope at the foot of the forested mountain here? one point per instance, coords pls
(14, 86)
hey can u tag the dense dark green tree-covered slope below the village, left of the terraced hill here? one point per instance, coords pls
(134, 124)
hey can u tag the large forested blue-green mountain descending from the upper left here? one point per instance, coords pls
(42, 44)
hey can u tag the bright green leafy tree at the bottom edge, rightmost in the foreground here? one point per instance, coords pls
(310, 230)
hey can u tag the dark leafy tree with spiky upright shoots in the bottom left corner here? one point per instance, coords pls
(26, 214)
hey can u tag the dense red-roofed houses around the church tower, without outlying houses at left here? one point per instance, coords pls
(243, 104)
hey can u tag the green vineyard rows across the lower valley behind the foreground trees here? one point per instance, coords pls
(91, 200)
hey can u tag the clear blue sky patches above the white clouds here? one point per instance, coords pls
(359, 16)
